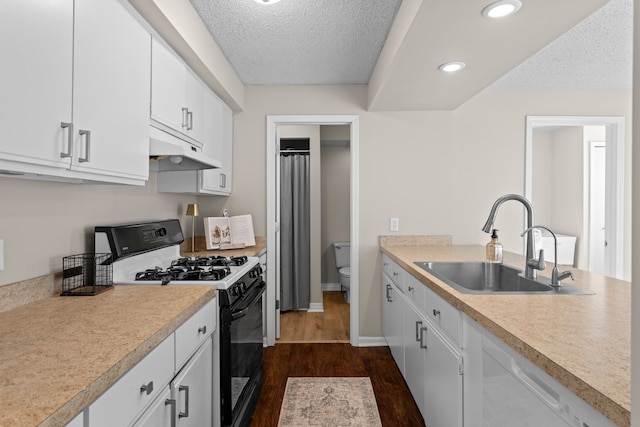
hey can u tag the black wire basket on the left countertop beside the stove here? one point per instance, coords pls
(87, 274)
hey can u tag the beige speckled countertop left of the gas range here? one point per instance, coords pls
(58, 354)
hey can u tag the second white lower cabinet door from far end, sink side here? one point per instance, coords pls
(414, 354)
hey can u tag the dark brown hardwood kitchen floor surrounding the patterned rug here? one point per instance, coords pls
(395, 404)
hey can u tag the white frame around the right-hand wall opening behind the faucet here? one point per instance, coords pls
(614, 213)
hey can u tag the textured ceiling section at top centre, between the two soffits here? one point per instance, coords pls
(300, 41)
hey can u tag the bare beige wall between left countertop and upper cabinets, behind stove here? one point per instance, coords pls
(41, 222)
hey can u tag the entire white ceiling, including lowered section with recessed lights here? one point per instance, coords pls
(586, 44)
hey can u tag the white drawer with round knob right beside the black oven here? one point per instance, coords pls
(194, 331)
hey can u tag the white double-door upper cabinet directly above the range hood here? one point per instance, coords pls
(177, 96)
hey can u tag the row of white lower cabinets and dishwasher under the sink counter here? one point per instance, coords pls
(494, 387)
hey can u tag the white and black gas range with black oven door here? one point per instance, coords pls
(149, 254)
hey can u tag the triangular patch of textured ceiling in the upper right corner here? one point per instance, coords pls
(597, 53)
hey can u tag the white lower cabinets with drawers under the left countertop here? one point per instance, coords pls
(171, 386)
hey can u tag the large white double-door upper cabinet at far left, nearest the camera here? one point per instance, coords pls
(75, 91)
